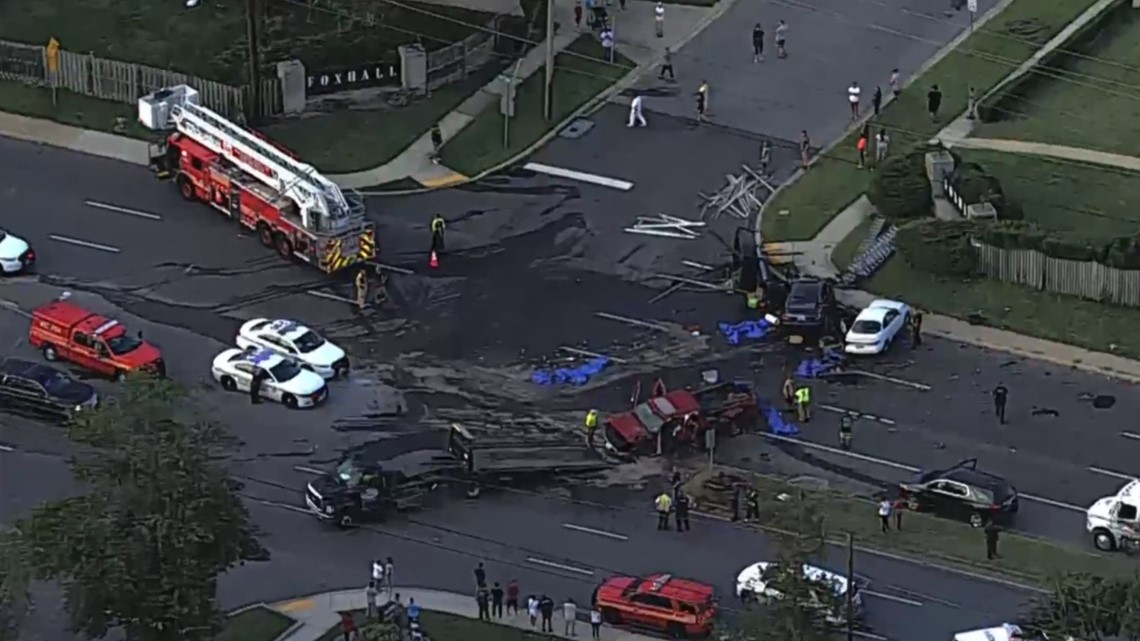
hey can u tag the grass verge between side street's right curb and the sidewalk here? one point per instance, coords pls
(983, 61)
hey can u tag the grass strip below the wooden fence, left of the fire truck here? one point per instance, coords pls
(70, 109)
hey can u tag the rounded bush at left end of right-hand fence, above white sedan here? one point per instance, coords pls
(939, 247)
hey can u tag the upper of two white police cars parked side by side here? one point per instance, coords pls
(296, 342)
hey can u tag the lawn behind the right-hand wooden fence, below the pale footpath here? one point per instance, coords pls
(1096, 202)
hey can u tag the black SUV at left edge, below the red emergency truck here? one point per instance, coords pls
(31, 388)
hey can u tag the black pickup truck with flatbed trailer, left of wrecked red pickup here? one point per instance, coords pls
(363, 490)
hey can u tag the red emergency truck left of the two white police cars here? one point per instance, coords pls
(64, 331)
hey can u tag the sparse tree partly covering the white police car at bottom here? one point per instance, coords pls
(808, 607)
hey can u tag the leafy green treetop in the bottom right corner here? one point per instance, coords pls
(1088, 607)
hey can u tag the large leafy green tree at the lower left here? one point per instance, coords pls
(143, 548)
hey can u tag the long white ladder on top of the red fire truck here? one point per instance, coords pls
(322, 204)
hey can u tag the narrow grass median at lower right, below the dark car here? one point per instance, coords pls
(926, 538)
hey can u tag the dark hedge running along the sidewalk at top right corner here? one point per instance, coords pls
(1007, 101)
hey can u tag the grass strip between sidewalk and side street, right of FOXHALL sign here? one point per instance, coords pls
(577, 80)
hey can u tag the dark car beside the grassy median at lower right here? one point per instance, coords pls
(963, 492)
